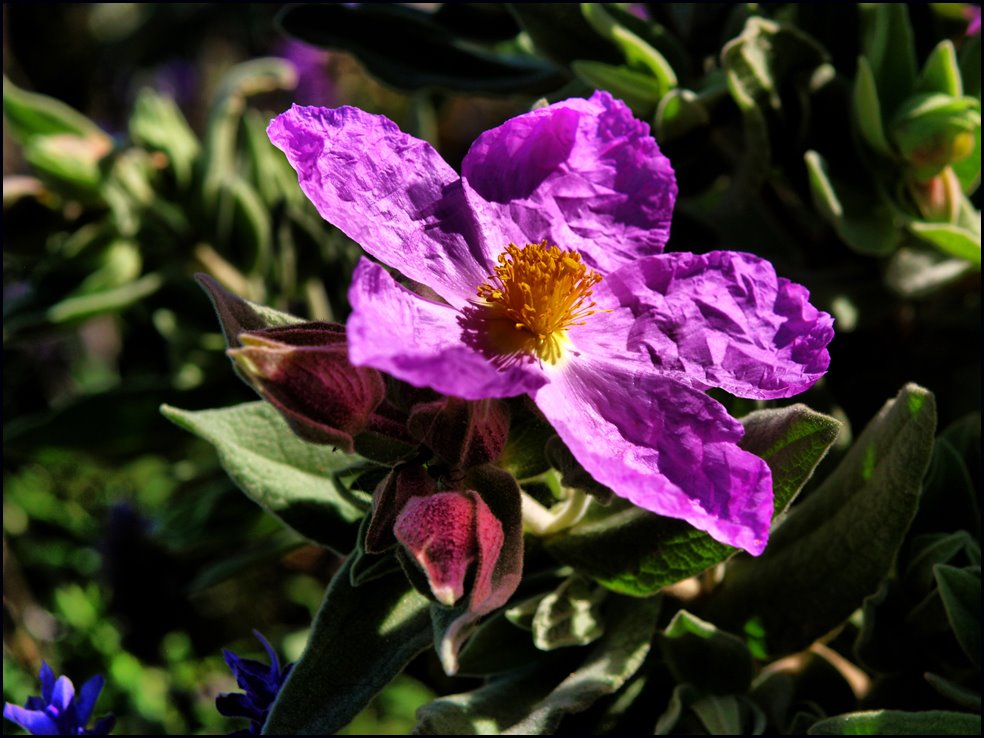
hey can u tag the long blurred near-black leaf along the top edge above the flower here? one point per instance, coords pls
(377, 35)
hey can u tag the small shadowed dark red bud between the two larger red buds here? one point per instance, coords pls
(462, 433)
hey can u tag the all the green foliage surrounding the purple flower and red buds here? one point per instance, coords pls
(842, 143)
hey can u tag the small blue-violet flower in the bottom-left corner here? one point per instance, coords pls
(59, 711)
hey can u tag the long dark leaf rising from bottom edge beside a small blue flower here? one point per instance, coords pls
(361, 639)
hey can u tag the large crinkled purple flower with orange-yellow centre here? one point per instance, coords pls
(545, 274)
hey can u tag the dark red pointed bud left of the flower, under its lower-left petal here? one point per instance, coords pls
(303, 370)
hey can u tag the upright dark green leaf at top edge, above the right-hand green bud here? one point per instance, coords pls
(890, 48)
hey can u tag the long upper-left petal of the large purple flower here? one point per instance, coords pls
(388, 191)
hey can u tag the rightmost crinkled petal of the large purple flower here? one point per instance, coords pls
(724, 319)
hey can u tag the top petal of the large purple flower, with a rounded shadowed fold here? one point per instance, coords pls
(583, 174)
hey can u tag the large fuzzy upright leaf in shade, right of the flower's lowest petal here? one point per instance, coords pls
(836, 547)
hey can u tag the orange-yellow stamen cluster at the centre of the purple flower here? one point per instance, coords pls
(536, 294)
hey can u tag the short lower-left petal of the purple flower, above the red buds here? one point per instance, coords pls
(423, 343)
